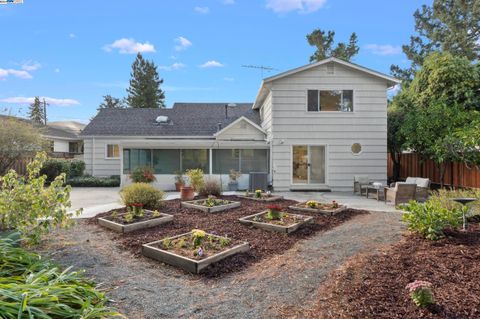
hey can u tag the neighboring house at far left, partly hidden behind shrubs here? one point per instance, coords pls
(65, 139)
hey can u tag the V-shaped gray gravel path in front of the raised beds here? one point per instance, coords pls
(142, 288)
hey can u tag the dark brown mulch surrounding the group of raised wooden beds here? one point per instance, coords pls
(262, 244)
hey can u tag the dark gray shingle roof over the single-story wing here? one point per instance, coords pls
(185, 119)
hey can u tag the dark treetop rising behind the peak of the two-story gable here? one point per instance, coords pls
(324, 41)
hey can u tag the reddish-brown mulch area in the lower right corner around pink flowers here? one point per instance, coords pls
(374, 286)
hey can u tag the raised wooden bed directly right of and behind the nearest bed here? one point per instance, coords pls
(287, 224)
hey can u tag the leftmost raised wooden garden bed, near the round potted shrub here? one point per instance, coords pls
(150, 219)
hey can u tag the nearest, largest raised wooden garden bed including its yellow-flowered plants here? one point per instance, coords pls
(175, 251)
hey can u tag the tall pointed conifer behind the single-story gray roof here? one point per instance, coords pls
(144, 90)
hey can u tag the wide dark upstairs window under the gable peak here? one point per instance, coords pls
(330, 100)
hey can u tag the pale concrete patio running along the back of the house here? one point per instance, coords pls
(97, 200)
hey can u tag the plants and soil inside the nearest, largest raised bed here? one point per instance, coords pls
(196, 245)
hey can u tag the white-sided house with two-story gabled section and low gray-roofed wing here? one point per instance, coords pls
(310, 128)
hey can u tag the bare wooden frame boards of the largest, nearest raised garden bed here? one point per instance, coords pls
(191, 265)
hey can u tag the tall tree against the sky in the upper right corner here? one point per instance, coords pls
(448, 25)
